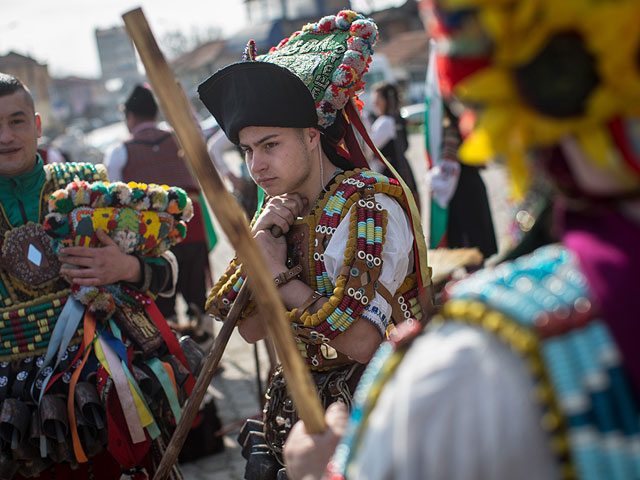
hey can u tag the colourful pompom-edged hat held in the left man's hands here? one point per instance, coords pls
(141, 219)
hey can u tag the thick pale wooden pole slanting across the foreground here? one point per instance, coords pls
(177, 110)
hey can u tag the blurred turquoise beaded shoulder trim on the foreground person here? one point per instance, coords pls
(547, 294)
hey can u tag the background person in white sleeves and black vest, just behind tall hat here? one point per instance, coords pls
(389, 133)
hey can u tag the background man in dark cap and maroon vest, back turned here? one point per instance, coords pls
(151, 155)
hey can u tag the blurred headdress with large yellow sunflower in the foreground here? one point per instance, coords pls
(542, 71)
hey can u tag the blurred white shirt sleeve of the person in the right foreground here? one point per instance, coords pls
(460, 406)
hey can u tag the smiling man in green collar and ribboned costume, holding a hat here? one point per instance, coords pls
(78, 427)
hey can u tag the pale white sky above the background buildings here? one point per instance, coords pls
(61, 32)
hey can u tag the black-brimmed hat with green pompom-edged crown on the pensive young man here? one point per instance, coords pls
(327, 60)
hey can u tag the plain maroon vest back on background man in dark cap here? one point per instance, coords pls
(152, 157)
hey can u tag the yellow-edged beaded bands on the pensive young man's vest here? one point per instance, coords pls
(363, 255)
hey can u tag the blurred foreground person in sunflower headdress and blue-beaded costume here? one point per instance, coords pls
(531, 370)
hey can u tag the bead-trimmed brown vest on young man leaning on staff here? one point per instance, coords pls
(357, 282)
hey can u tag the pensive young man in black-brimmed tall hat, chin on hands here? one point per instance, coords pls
(344, 265)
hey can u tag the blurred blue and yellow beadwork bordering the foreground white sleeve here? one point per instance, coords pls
(580, 384)
